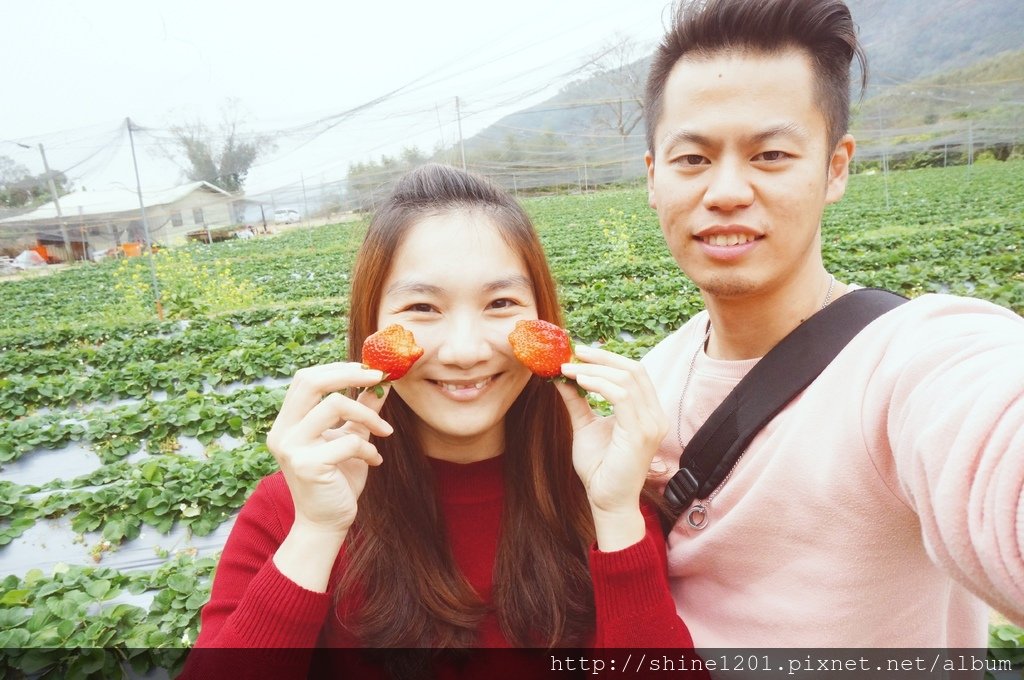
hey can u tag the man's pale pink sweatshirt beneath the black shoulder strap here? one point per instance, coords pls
(879, 506)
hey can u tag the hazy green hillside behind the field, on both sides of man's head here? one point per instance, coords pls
(946, 87)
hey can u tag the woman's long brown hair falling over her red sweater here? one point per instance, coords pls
(402, 583)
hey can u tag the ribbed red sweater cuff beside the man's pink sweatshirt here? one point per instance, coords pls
(631, 581)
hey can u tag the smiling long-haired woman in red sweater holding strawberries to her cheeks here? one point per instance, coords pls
(448, 514)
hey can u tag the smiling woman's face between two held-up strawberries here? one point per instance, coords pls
(459, 288)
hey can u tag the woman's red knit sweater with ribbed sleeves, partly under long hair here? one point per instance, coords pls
(253, 606)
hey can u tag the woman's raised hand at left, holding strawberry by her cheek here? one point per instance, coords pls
(321, 440)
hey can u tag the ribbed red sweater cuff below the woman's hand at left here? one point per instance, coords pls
(278, 613)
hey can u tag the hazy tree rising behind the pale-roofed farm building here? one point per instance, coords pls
(222, 157)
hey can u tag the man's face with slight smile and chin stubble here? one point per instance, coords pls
(742, 173)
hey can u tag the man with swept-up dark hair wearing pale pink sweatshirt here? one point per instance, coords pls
(884, 504)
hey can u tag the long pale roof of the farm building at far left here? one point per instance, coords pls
(111, 202)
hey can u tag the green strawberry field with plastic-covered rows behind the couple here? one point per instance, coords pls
(127, 444)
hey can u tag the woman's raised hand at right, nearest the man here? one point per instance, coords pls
(613, 454)
